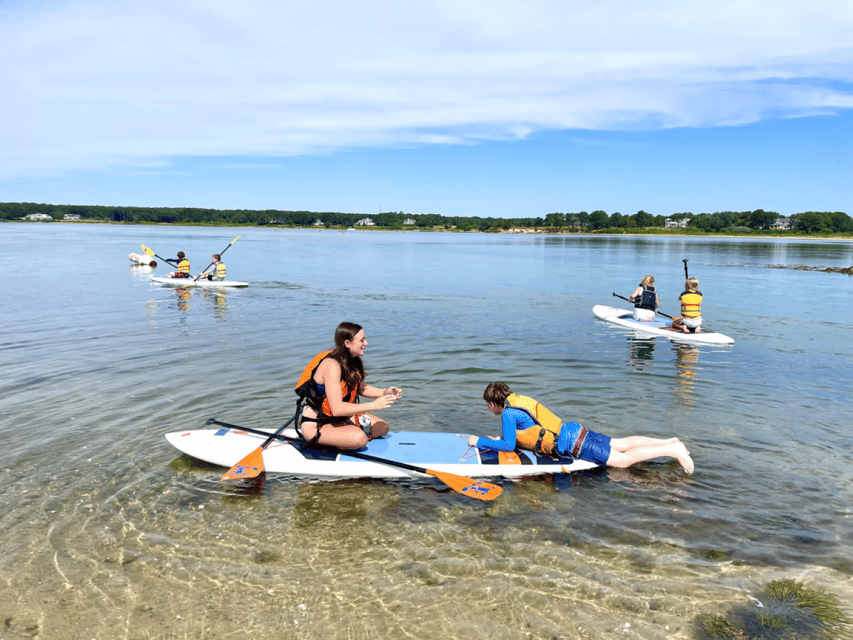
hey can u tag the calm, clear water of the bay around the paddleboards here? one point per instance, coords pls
(109, 533)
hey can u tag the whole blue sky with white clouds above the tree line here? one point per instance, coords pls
(481, 107)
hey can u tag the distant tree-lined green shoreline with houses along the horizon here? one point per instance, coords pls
(721, 223)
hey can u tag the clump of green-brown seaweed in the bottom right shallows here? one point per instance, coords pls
(784, 610)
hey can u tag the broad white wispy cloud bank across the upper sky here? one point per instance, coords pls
(97, 84)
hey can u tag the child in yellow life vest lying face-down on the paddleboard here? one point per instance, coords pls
(527, 424)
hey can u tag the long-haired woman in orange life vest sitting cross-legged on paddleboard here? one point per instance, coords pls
(330, 387)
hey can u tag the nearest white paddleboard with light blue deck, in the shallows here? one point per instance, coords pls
(443, 452)
